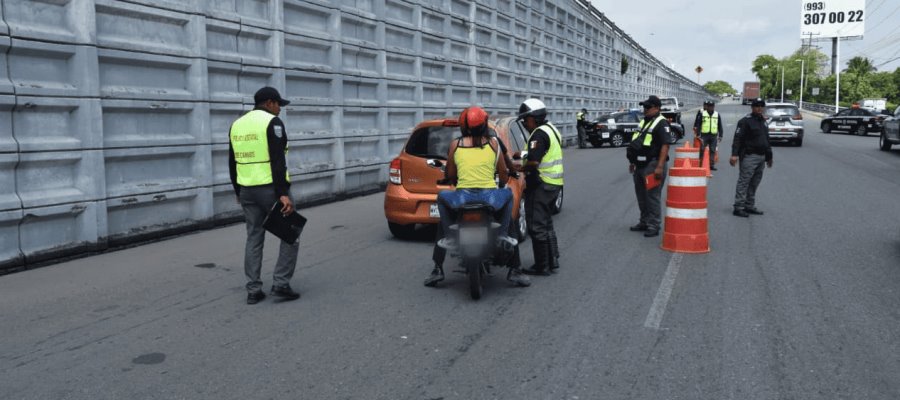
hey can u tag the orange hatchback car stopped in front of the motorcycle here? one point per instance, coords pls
(411, 194)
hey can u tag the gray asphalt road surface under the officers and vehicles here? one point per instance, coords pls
(801, 303)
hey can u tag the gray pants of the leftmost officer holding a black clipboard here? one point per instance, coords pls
(256, 202)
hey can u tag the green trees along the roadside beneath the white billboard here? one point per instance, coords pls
(860, 80)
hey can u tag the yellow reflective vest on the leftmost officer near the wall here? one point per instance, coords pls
(250, 144)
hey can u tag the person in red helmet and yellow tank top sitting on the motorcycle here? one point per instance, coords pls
(472, 163)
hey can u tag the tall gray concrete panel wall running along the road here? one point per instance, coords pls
(114, 115)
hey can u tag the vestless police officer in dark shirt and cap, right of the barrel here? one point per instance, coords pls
(750, 147)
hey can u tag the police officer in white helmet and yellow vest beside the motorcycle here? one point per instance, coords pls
(543, 182)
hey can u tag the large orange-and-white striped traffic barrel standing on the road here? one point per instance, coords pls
(686, 228)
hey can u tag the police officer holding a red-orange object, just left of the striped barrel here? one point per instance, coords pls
(647, 154)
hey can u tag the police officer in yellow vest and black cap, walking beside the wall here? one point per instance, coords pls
(256, 160)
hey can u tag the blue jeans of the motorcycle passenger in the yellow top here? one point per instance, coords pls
(500, 199)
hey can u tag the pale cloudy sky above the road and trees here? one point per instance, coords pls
(724, 36)
